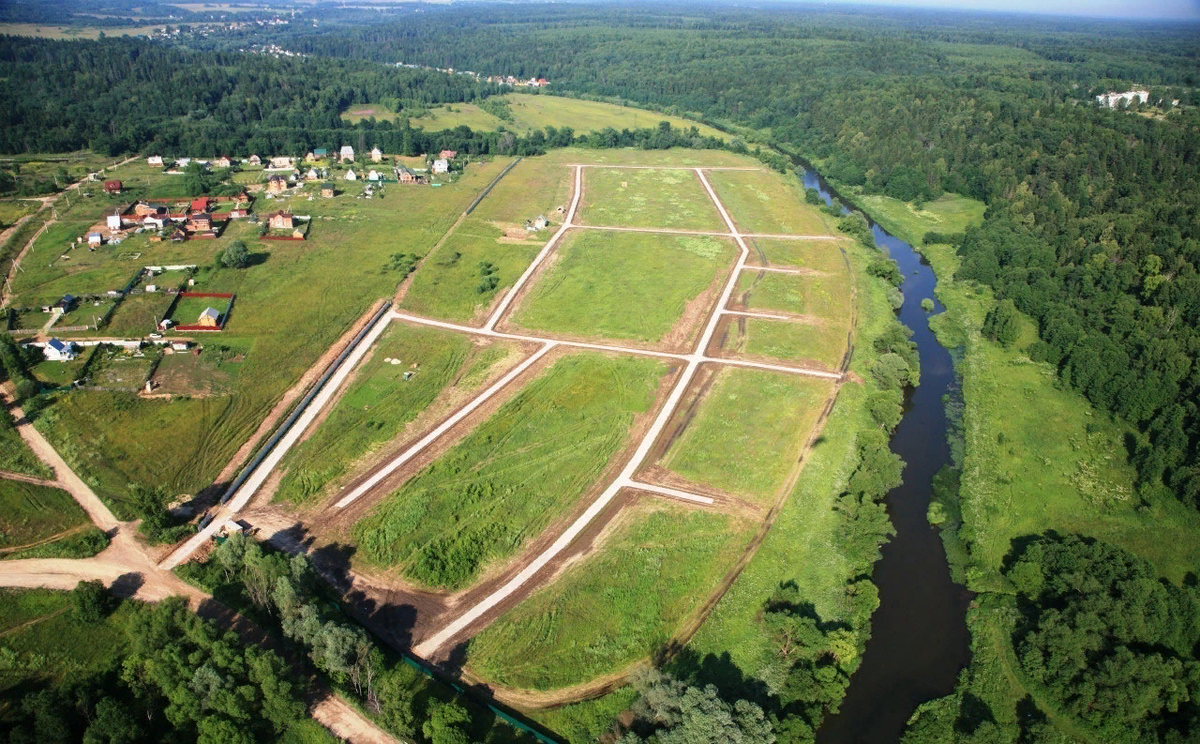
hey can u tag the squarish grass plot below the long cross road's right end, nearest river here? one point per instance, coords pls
(748, 433)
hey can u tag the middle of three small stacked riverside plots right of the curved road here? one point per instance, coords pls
(823, 297)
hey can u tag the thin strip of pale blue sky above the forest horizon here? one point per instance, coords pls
(1181, 10)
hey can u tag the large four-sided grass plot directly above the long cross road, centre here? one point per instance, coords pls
(631, 286)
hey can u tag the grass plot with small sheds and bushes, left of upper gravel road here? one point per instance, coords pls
(449, 283)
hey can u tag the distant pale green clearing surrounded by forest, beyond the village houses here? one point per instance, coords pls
(535, 112)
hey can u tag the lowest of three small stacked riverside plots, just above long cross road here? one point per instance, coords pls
(815, 341)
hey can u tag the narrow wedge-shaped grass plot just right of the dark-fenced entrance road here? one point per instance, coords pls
(381, 404)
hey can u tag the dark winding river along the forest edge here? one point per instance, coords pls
(920, 640)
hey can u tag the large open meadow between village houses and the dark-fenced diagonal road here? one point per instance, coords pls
(293, 304)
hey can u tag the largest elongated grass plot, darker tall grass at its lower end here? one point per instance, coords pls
(506, 482)
